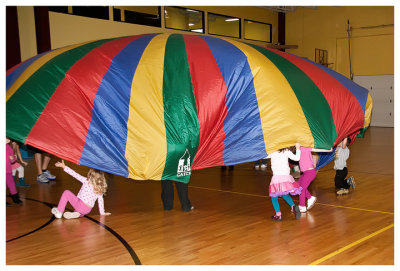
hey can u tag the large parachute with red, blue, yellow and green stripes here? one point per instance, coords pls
(157, 106)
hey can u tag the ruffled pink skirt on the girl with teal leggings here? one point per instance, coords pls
(283, 185)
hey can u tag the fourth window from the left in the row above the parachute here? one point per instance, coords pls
(223, 25)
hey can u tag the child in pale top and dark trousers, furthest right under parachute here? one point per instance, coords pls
(342, 153)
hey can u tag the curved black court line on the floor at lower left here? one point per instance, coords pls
(134, 257)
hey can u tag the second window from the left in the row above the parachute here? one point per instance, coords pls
(144, 15)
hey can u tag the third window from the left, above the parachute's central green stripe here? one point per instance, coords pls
(184, 19)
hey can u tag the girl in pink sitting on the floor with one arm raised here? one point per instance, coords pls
(93, 188)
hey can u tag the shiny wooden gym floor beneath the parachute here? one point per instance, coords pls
(230, 225)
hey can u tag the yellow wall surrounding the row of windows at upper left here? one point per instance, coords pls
(68, 29)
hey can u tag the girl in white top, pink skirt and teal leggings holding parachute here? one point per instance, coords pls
(282, 183)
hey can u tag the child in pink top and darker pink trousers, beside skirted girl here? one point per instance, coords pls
(307, 165)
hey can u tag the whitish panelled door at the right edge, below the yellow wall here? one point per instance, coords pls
(381, 88)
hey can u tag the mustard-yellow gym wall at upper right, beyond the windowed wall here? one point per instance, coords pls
(372, 37)
